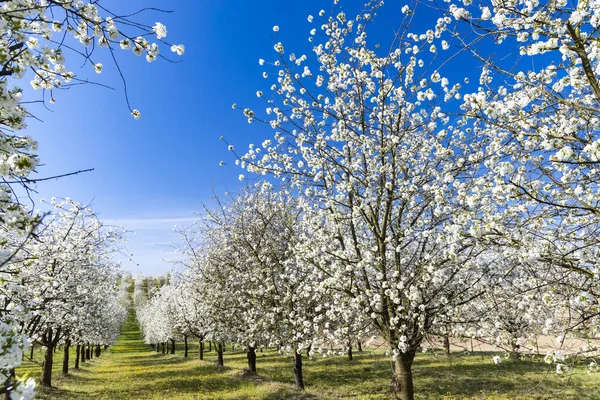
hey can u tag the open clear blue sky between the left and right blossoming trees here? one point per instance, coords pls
(154, 173)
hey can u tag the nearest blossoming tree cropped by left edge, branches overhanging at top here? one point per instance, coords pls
(37, 38)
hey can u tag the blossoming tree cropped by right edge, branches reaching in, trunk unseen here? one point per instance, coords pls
(537, 100)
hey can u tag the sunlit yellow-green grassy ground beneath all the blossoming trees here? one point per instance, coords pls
(131, 370)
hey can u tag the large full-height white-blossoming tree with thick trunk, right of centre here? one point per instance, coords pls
(390, 182)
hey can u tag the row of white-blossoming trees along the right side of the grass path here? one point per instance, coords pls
(421, 197)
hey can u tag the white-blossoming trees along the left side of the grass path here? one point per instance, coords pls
(57, 282)
